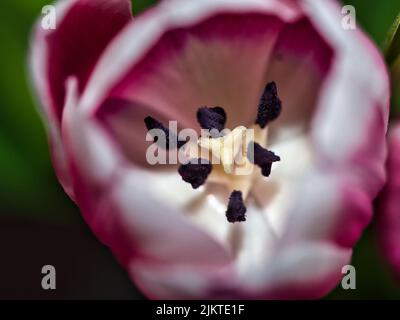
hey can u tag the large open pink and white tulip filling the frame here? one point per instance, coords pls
(315, 94)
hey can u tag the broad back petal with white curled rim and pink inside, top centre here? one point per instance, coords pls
(129, 51)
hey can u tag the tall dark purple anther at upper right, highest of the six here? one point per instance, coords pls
(270, 106)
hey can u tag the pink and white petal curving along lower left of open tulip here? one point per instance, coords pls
(118, 203)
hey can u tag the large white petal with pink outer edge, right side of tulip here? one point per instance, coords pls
(333, 202)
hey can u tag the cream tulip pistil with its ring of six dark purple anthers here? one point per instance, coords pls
(224, 156)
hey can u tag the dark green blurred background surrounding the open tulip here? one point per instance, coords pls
(39, 224)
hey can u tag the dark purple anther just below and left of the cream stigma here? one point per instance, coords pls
(195, 172)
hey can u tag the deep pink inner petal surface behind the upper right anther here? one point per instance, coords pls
(300, 64)
